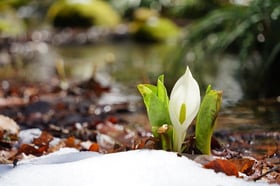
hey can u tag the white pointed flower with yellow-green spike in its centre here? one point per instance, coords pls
(183, 107)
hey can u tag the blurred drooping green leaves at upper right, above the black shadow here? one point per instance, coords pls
(247, 27)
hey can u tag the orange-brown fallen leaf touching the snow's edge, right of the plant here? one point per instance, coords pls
(224, 166)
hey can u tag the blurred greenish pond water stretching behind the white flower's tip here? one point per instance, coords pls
(131, 63)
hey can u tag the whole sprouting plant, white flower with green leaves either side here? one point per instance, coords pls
(170, 119)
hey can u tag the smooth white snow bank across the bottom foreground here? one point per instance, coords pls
(133, 168)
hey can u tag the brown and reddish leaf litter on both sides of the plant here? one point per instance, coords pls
(74, 118)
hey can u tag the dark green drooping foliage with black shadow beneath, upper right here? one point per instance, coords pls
(251, 31)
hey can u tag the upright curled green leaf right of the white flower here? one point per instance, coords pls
(206, 119)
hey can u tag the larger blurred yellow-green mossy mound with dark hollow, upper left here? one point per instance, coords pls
(83, 13)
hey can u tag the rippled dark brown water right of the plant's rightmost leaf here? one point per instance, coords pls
(251, 116)
